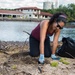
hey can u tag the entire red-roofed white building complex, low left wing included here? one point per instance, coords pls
(25, 13)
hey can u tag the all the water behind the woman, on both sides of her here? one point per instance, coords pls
(13, 31)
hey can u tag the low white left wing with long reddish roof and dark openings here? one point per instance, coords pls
(9, 14)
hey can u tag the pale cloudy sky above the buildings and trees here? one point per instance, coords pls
(12, 4)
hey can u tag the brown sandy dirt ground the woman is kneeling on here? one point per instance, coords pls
(15, 60)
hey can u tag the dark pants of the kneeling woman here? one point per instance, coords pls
(34, 47)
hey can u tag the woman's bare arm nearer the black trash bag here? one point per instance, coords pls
(55, 41)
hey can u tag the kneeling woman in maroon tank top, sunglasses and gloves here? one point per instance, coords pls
(39, 38)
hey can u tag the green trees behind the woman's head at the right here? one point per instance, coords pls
(68, 10)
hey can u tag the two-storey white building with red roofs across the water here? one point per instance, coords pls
(33, 13)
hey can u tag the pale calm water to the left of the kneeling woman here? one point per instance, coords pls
(13, 31)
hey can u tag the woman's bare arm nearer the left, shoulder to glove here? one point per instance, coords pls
(43, 30)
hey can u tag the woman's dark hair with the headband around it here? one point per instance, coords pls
(57, 18)
